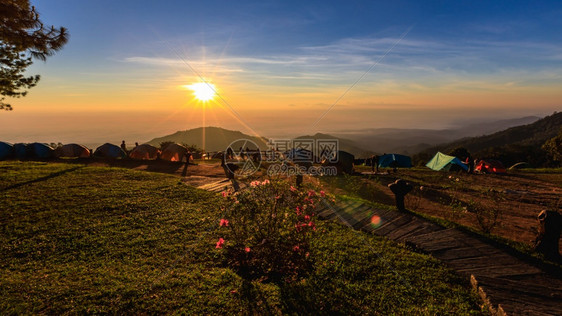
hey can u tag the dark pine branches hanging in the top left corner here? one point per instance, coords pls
(23, 37)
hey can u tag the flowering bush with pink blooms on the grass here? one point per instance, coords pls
(266, 230)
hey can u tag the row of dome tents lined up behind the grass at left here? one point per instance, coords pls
(172, 152)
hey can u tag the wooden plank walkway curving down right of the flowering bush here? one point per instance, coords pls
(509, 284)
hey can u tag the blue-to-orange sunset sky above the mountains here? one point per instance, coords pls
(288, 68)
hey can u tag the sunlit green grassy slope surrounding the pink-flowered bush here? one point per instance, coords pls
(84, 239)
